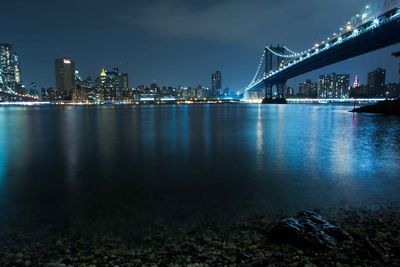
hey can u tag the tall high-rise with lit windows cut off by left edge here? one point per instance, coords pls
(10, 74)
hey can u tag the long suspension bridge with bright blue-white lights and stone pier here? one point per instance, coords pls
(375, 27)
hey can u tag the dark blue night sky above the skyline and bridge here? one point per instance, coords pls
(175, 42)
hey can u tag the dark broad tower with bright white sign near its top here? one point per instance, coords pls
(65, 77)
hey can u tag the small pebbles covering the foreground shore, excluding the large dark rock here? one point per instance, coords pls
(231, 244)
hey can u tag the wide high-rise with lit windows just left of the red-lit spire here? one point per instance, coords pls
(334, 86)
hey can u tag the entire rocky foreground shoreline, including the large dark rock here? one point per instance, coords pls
(373, 240)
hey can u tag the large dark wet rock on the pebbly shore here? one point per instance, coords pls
(308, 230)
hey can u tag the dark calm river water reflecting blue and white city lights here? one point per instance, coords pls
(103, 166)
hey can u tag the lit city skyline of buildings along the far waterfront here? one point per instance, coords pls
(112, 85)
